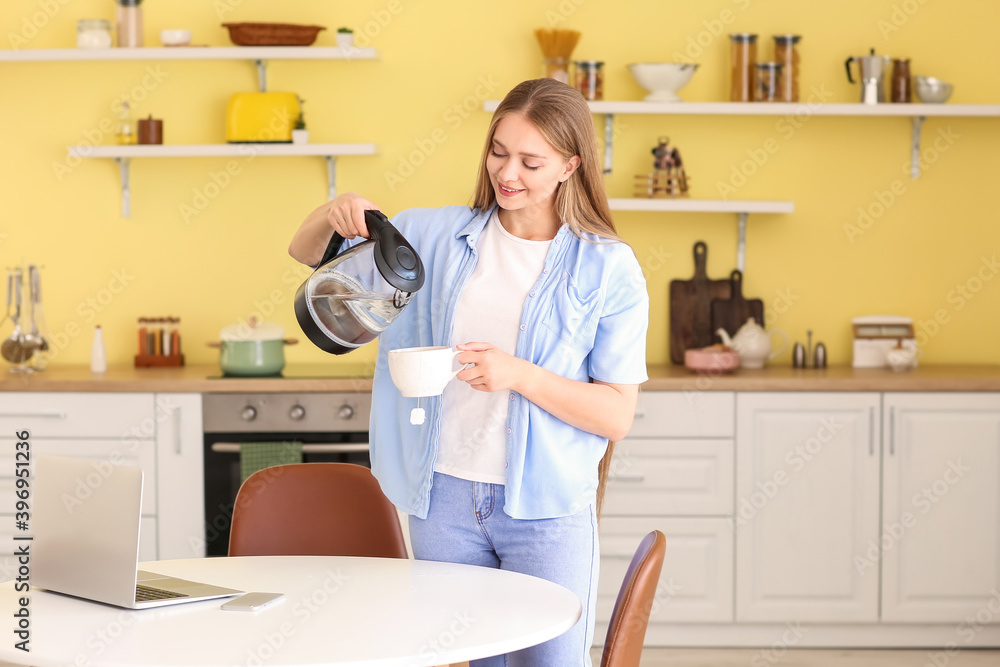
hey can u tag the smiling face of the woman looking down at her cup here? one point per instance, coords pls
(525, 169)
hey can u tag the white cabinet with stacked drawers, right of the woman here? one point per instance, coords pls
(674, 473)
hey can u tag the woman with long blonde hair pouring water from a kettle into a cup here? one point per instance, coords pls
(550, 308)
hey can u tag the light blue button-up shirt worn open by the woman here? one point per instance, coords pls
(585, 317)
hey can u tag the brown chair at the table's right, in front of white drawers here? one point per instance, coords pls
(627, 630)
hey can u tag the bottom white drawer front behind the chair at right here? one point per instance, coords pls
(696, 583)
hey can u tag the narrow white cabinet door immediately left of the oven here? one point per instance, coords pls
(180, 464)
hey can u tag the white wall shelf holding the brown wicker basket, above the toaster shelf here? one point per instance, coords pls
(258, 54)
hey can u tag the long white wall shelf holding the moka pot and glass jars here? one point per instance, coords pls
(917, 113)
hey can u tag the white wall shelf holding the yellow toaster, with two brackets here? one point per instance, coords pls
(124, 154)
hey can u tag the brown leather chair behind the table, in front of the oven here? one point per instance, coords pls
(315, 509)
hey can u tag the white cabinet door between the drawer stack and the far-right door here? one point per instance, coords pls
(807, 485)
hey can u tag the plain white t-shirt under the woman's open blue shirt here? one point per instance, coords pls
(474, 423)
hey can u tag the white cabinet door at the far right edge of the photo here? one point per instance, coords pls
(940, 541)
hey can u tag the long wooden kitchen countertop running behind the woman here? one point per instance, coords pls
(357, 377)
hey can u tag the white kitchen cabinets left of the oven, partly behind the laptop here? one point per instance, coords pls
(161, 433)
